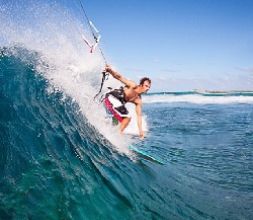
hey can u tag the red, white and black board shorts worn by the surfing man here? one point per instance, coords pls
(116, 108)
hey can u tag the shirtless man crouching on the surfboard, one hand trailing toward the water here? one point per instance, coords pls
(116, 99)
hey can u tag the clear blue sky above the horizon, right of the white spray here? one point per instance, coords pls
(180, 44)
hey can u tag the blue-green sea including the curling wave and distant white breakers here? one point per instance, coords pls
(55, 163)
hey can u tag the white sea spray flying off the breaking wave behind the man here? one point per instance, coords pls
(53, 32)
